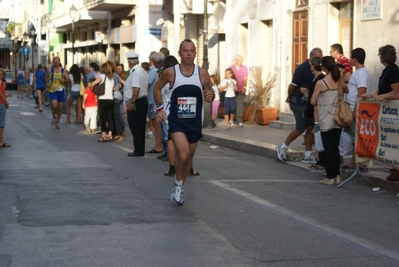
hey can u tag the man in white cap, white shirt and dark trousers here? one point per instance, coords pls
(135, 98)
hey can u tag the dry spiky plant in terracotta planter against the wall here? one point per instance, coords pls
(259, 96)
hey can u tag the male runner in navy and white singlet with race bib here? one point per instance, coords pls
(190, 87)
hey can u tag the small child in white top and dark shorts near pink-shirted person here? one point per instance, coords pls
(229, 85)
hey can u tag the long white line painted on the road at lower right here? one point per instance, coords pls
(333, 231)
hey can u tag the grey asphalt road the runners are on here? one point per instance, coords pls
(67, 200)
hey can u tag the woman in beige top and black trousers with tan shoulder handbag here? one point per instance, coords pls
(325, 96)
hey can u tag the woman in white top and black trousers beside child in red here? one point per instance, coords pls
(105, 102)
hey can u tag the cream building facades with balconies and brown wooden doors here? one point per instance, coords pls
(276, 35)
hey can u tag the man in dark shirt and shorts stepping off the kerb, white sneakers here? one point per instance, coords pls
(302, 80)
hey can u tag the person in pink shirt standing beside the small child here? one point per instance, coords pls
(241, 74)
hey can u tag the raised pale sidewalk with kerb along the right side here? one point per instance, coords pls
(262, 140)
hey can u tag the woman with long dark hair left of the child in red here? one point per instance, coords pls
(75, 78)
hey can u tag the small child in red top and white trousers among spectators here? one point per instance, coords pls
(90, 106)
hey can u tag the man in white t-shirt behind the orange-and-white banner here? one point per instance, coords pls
(358, 83)
